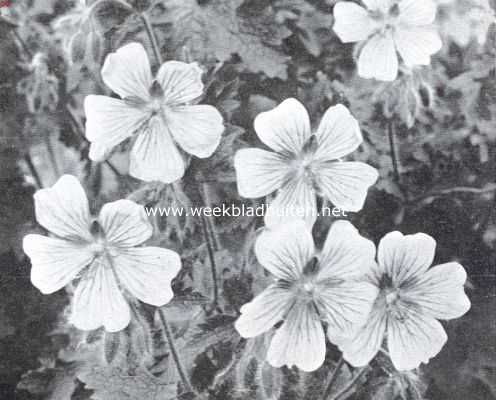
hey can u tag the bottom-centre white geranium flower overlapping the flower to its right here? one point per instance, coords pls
(309, 288)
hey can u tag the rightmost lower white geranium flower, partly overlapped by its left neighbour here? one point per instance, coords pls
(412, 298)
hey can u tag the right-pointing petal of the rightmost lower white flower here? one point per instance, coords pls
(439, 292)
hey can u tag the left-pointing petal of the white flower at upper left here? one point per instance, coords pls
(109, 122)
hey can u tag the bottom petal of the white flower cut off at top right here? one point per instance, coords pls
(378, 58)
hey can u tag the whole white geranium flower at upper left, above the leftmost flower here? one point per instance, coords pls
(156, 111)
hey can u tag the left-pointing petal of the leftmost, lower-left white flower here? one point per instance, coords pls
(55, 262)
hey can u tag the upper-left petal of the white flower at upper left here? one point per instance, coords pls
(127, 72)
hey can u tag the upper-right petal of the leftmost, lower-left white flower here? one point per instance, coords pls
(125, 223)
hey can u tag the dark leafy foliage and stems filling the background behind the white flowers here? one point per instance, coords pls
(255, 53)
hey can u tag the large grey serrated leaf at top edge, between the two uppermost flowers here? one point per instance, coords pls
(217, 28)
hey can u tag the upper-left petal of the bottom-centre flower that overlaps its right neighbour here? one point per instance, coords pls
(285, 250)
